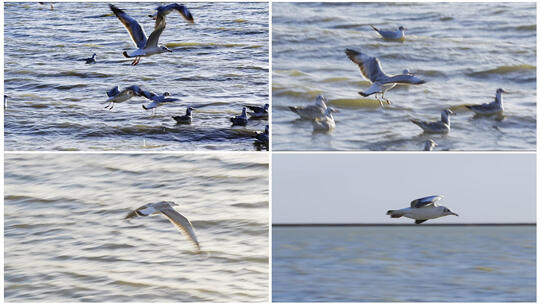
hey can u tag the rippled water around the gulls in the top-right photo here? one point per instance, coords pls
(465, 52)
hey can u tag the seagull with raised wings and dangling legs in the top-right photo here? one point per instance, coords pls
(371, 70)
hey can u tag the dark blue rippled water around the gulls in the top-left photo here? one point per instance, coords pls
(56, 102)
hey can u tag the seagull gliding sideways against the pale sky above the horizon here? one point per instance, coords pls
(422, 209)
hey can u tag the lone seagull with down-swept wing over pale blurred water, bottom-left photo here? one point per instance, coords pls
(177, 219)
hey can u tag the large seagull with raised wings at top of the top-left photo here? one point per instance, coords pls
(145, 47)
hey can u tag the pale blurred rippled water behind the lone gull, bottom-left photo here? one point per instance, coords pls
(65, 237)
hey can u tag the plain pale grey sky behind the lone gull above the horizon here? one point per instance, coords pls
(360, 188)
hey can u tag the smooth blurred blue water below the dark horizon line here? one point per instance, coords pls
(410, 264)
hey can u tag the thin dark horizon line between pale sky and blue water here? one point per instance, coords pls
(394, 224)
